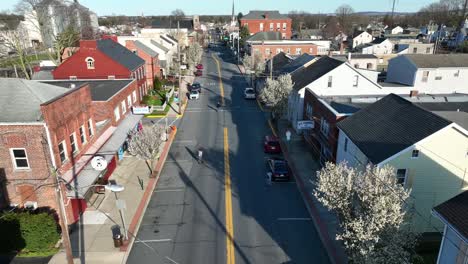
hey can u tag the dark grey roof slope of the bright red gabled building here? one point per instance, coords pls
(120, 54)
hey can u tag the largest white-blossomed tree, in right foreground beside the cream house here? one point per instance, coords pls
(371, 208)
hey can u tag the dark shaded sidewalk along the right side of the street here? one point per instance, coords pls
(304, 166)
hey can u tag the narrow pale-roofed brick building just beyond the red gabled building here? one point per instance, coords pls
(153, 68)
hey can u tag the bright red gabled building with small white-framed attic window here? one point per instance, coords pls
(103, 59)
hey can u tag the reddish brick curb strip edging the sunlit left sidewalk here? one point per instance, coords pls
(153, 181)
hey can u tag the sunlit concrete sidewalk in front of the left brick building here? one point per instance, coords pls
(92, 239)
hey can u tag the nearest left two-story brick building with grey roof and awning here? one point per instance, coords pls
(59, 128)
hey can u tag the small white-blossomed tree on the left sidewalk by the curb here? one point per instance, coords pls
(145, 144)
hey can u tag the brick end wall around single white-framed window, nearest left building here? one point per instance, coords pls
(35, 183)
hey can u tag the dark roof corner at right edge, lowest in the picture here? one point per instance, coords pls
(455, 212)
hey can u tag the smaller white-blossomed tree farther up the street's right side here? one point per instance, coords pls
(275, 93)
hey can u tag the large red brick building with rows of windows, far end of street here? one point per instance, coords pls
(267, 21)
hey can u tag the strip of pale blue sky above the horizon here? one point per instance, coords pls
(223, 7)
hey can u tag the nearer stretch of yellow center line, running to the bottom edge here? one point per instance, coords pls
(231, 256)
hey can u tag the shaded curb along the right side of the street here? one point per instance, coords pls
(313, 211)
